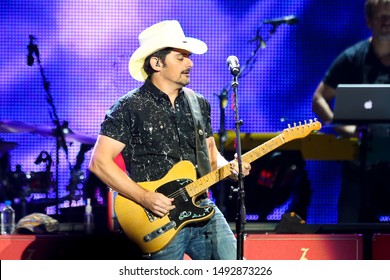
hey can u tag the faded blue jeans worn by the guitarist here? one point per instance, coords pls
(209, 240)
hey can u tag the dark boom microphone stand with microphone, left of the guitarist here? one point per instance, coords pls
(59, 129)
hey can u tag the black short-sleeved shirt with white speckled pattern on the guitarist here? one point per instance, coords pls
(156, 135)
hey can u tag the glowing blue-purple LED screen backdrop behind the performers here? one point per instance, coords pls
(85, 46)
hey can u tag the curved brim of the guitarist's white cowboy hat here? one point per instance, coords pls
(137, 59)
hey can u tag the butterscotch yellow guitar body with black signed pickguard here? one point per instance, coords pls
(143, 225)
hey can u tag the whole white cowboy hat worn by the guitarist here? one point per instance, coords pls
(165, 34)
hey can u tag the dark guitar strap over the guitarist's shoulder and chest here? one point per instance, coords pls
(202, 155)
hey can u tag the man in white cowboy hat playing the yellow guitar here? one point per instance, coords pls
(152, 127)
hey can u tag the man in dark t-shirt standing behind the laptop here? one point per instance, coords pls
(365, 62)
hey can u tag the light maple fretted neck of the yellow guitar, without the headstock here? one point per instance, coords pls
(217, 175)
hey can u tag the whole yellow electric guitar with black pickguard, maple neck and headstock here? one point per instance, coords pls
(152, 233)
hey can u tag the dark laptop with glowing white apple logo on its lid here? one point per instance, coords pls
(362, 104)
